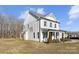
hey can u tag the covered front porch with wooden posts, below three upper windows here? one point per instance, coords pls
(49, 35)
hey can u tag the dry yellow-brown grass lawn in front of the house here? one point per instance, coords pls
(16, 46)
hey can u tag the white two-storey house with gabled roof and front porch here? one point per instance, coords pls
(40, 27)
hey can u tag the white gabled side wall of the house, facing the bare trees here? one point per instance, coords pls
(31, 26)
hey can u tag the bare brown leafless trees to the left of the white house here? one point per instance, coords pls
(10, 27)
